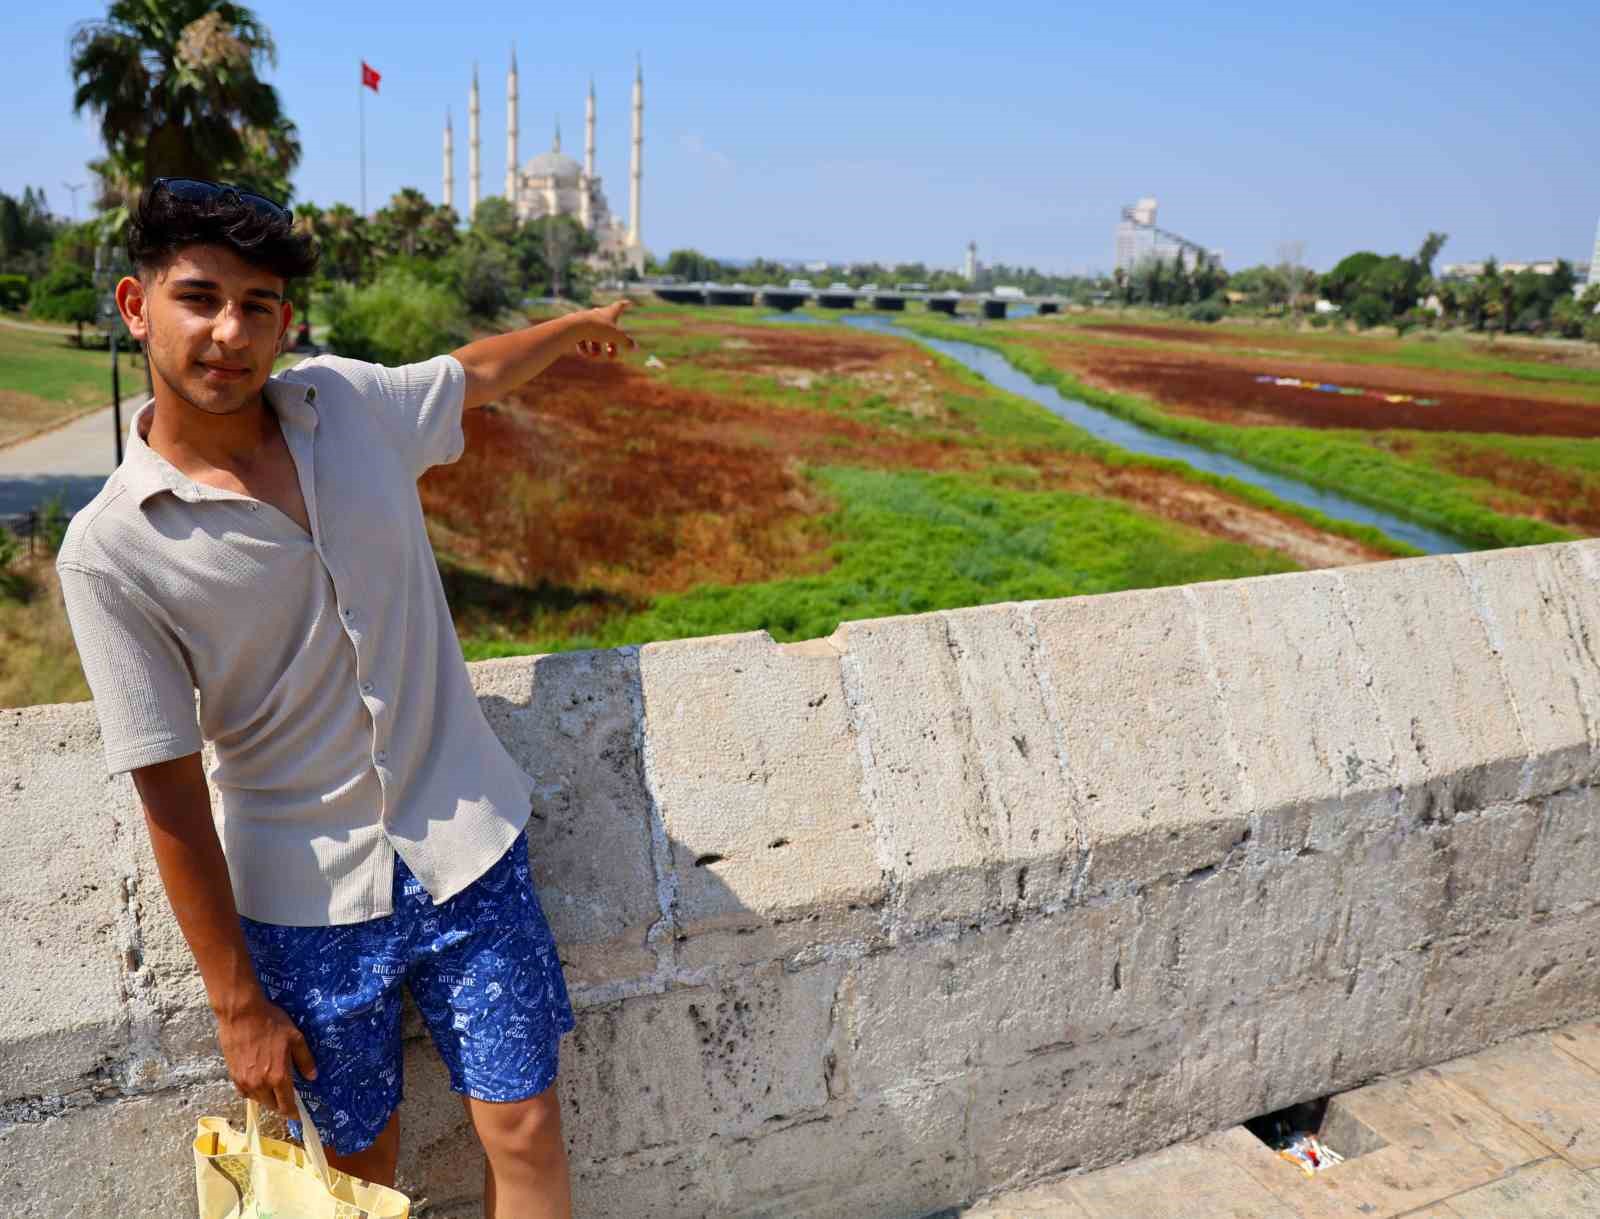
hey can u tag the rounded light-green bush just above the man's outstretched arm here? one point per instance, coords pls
(399, 319)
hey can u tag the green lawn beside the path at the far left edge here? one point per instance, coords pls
(46, 380)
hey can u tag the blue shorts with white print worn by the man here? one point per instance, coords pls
(484, 973)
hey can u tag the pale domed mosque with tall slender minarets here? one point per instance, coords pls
(553, 183)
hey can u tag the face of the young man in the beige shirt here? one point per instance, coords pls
(212, 326)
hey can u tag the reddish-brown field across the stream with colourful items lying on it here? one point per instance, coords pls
(1225, 390)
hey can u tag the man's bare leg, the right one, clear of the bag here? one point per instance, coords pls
(527, 1157)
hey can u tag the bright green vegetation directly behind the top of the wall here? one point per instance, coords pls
(908, 542)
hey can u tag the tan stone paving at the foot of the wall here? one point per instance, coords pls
(1513, 1133)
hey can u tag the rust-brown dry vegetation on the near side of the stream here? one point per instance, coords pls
(606, 486)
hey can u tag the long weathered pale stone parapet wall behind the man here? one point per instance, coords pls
(878, 924)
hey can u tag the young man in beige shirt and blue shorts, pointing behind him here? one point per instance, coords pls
(263, 545)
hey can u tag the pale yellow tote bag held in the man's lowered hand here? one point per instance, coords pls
(249, 1177)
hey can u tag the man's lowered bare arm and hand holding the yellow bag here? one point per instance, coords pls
(260, 1042)
